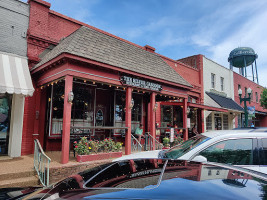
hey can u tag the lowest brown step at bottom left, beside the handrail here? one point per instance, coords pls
(20, 182)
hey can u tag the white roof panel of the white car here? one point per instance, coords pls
(237, 133)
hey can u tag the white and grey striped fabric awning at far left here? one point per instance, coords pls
(14, 75)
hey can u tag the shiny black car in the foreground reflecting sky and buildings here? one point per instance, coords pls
(152, 179)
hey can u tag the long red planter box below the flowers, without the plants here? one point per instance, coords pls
(99, 156)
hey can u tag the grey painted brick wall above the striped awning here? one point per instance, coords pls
(14, 21)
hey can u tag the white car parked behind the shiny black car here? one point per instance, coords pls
(246, 148)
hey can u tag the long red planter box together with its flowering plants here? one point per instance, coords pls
(95, 150)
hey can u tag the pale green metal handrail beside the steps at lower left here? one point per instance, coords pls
(41, 163)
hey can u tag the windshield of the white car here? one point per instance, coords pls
(185, 147)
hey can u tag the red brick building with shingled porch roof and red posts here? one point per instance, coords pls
(115, 83)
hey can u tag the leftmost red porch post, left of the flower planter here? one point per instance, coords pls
(66, 121)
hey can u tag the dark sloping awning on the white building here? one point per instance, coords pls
(225, 102)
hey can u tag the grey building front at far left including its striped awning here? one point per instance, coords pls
(15, 79)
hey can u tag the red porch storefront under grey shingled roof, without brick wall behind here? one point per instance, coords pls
(86, 91)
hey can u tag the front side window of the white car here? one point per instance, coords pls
(233, 152)
